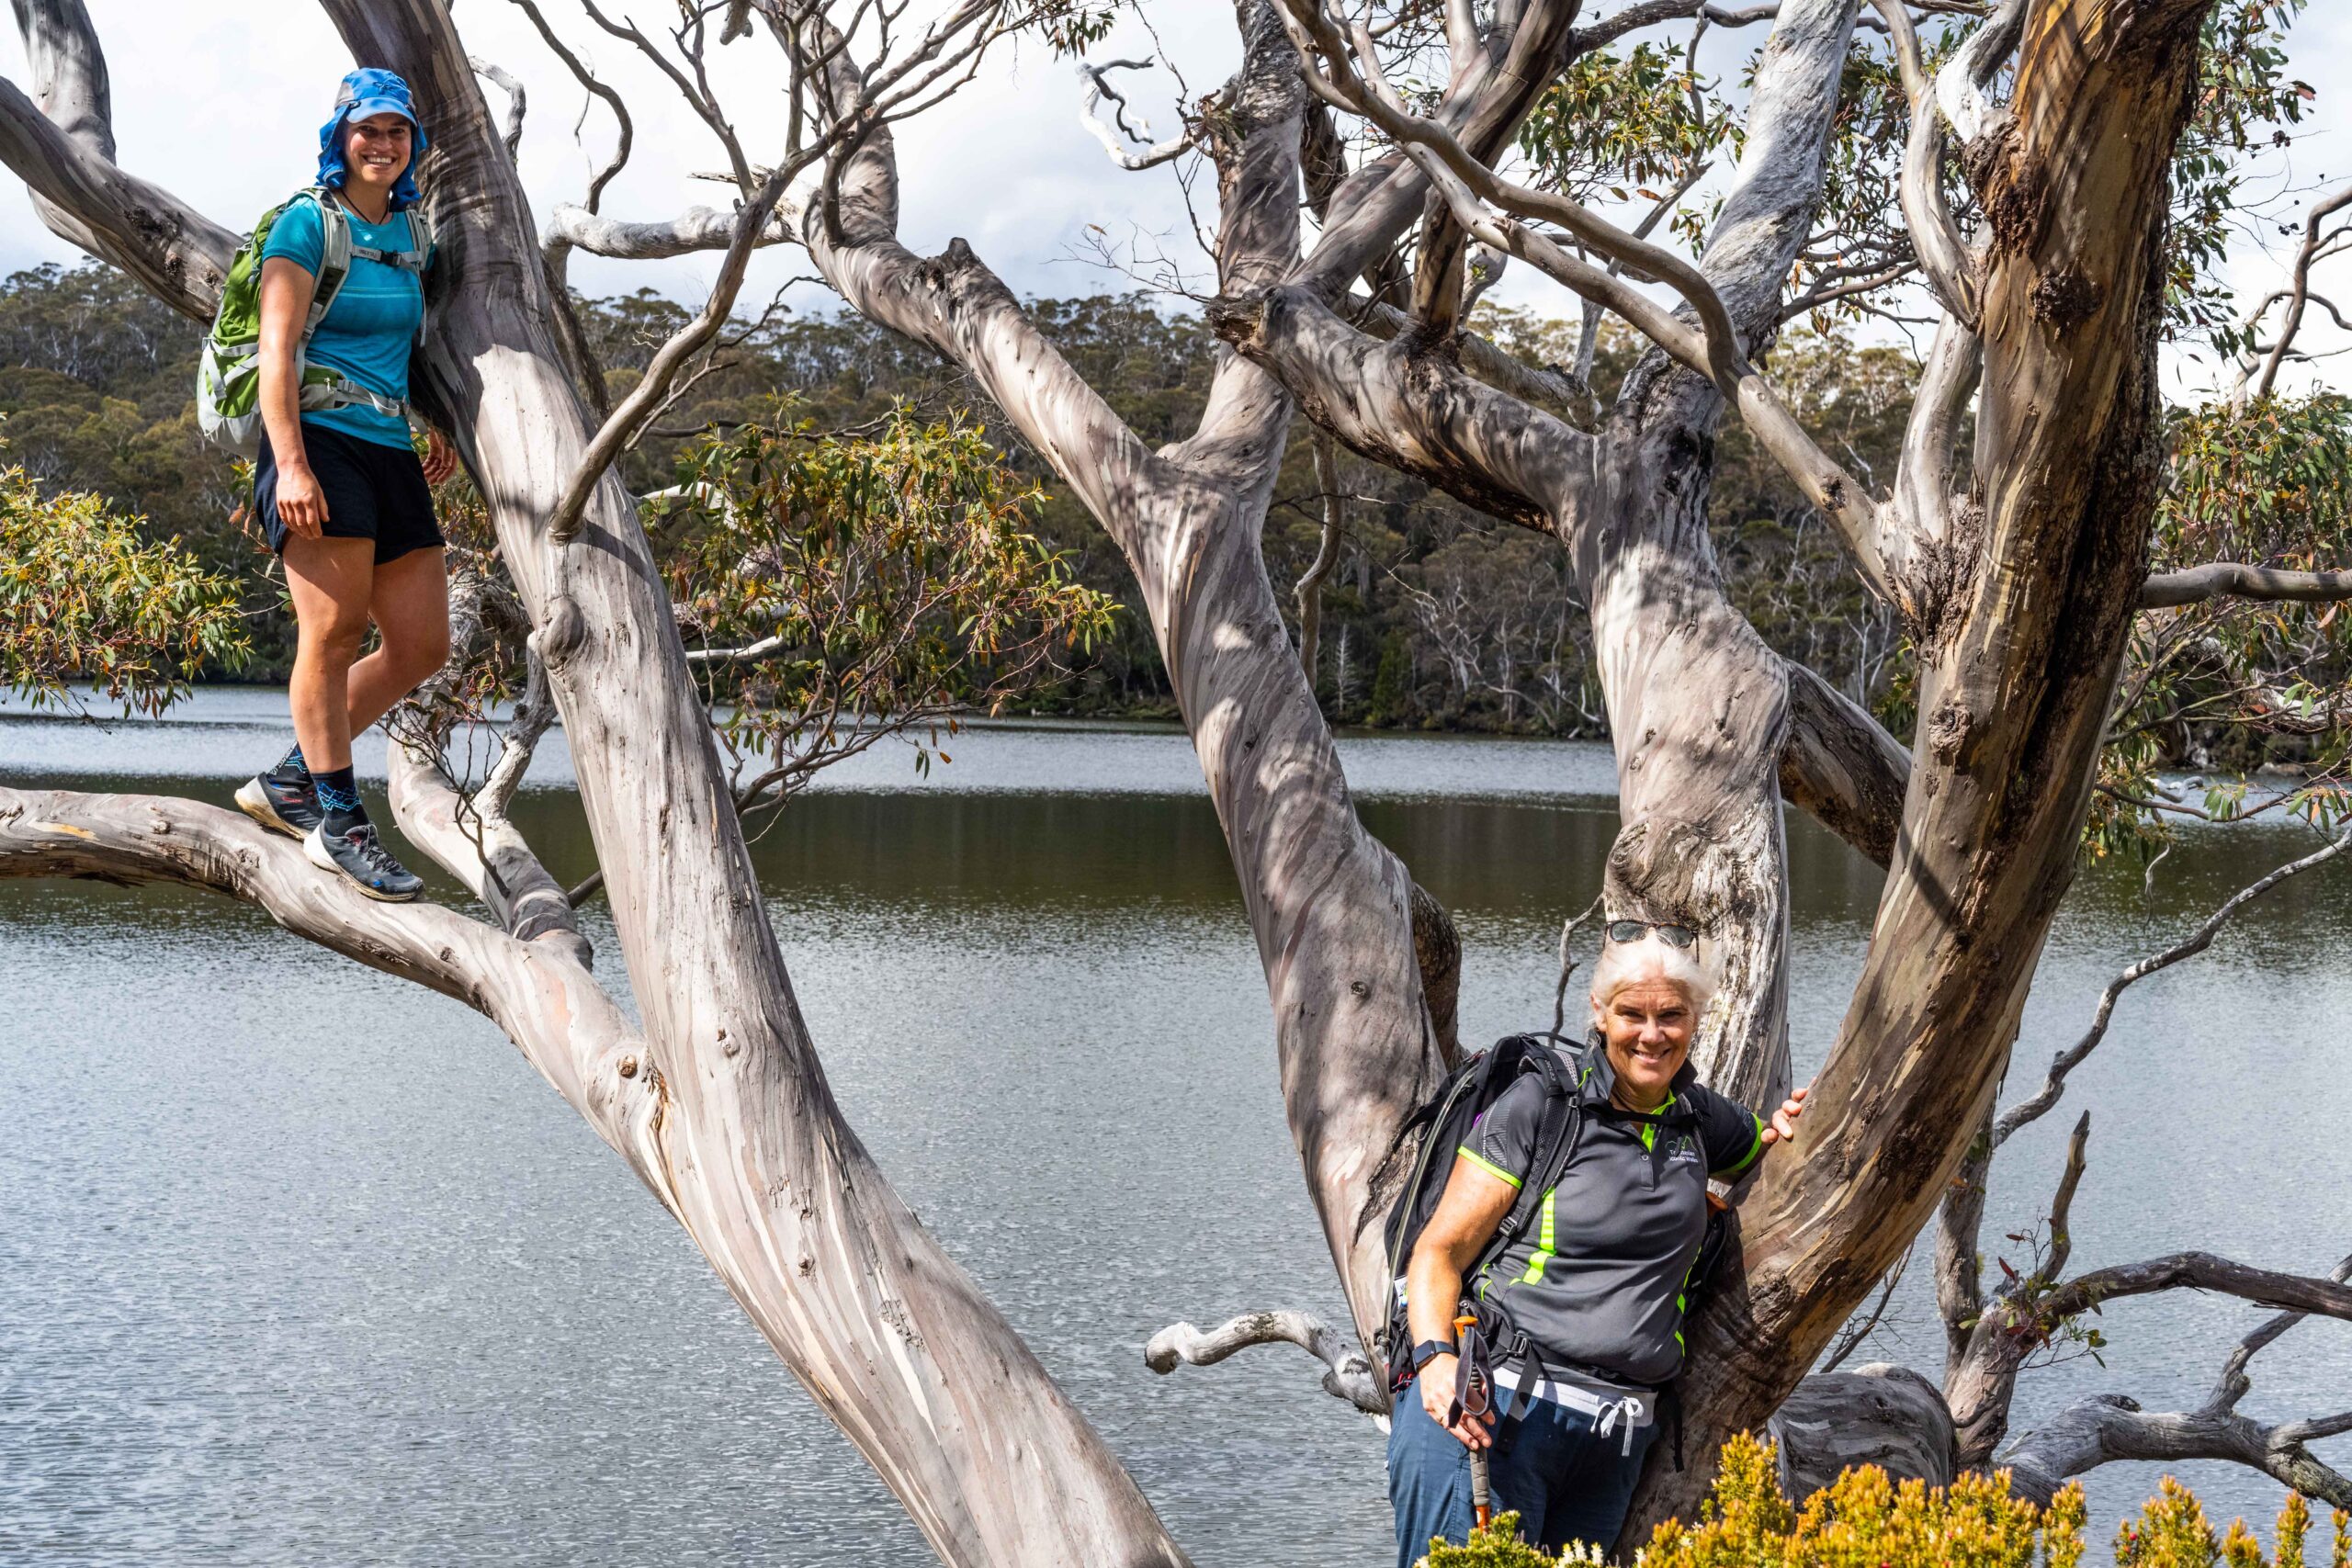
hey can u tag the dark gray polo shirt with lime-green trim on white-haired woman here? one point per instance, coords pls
(1598, 1275)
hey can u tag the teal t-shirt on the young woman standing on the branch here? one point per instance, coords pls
(370, 326)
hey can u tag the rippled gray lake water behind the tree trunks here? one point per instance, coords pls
(305, 1266)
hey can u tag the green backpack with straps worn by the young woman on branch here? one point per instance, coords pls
(229, 373)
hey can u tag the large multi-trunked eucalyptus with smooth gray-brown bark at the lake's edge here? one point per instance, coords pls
(2014, 554)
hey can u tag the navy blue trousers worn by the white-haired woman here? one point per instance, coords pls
(1549, 1466)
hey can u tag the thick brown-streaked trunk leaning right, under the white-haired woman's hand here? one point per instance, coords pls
(2017, 676)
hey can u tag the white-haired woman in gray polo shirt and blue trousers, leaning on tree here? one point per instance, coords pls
(1596, 1282)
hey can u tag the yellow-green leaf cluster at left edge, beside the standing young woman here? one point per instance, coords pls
(83, 598)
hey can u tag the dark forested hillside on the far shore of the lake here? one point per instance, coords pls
(1434, 617)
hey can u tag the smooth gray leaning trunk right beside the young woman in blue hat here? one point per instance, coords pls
(721, 1104)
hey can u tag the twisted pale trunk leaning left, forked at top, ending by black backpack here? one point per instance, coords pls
(1332, 909)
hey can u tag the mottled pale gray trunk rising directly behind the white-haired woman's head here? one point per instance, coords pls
(1697, 699)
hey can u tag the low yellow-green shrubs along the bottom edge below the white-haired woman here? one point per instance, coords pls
(1866, 1520)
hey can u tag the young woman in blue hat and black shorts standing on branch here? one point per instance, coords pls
(340, 490)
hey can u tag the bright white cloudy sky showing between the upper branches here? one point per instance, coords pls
(222, 102)
